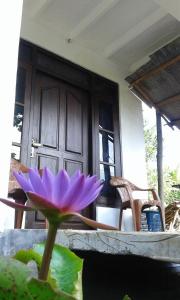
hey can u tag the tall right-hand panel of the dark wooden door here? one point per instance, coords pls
(75, 153)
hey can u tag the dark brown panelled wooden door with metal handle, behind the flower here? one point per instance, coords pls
(59, 124)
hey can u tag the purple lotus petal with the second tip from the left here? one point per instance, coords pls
(36, 182)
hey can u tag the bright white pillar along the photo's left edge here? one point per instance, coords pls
(10, 22)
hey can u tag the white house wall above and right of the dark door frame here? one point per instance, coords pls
(130, 108)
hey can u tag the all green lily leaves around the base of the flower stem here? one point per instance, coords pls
(64, 280)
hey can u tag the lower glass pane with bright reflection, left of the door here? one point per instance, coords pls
(18, 123)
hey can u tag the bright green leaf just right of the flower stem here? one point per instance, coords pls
(66, 268)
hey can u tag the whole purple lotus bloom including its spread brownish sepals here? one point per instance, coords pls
(58, 197)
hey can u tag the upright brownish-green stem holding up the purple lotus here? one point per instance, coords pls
(52, 230)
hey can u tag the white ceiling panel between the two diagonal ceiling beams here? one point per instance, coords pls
(116, 22)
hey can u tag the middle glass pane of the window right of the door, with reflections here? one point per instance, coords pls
(106, 146)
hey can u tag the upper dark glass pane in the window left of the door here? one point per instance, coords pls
(20, 85)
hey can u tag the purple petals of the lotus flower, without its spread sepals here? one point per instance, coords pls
(61, 192)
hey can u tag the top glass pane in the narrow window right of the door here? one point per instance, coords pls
(106, 116)
